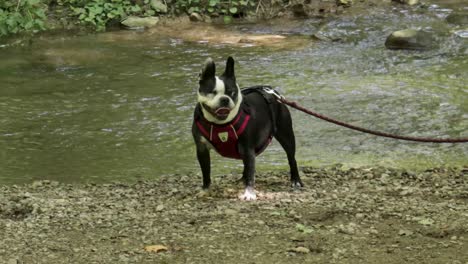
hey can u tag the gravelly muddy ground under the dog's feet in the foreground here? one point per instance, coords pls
(375, 215)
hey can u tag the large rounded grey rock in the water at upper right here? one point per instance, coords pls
(410, 39)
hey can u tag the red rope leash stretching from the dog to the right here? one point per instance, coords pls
(365, 130)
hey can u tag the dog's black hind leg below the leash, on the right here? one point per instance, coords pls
(285, 136)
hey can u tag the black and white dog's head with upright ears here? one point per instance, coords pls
(219, 97)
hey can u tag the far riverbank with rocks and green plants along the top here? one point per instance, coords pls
(25, 17)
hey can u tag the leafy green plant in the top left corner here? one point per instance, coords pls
(22, 15)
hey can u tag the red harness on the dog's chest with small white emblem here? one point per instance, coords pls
(224, 138)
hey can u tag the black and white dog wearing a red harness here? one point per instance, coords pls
(239, 124)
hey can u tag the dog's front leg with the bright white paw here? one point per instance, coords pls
(248, 157)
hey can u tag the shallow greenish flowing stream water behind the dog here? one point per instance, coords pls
(118, 106)
